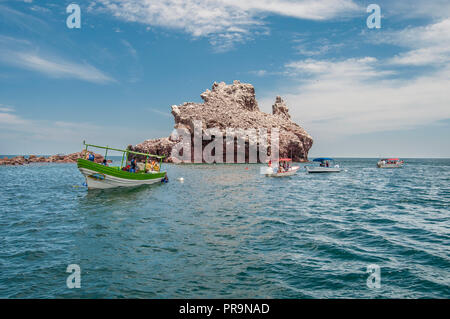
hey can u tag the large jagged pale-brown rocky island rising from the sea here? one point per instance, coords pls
(233, 106)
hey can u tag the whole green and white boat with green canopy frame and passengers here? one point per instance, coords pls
(100, 176)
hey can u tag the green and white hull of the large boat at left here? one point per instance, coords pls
(102, 177)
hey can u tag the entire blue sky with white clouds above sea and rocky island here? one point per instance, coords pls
(358, 91)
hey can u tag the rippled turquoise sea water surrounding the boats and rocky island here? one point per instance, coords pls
(227, 231)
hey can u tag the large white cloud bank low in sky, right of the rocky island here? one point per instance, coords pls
(352, 96)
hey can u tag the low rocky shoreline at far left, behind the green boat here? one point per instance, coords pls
(33, 159)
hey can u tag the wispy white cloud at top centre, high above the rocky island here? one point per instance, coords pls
(224, 22)
